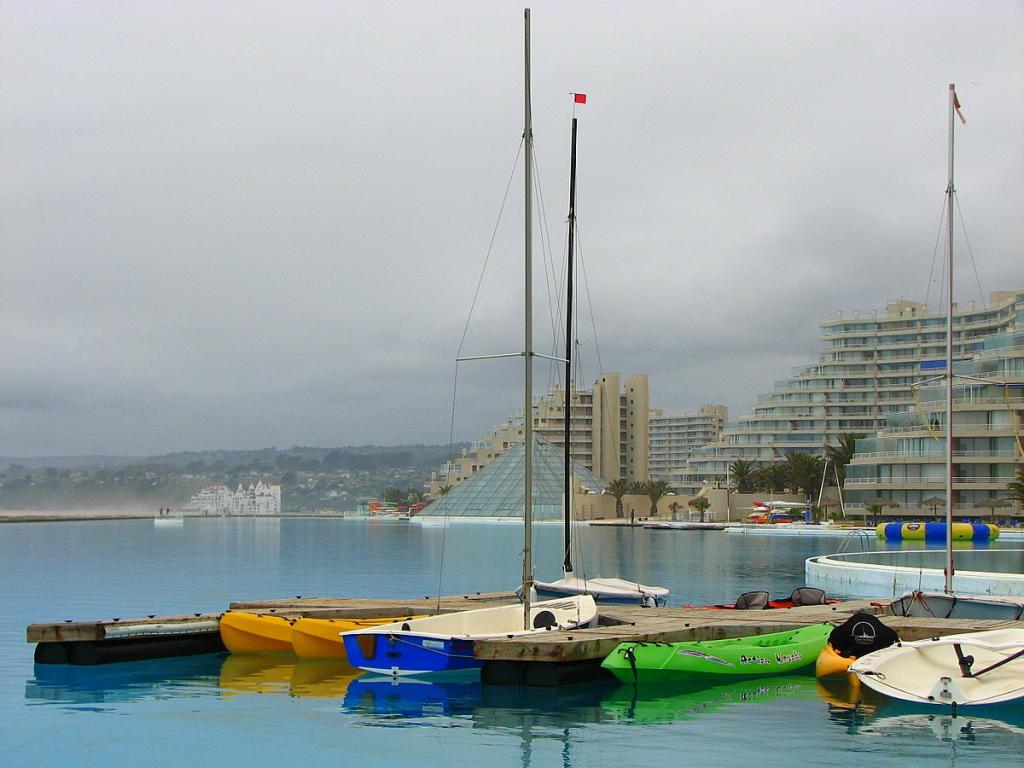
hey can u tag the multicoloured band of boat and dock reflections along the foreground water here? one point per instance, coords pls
(539, 721)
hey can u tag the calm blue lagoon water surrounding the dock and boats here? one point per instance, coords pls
(217, 708)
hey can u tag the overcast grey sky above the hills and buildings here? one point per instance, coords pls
(239, 225)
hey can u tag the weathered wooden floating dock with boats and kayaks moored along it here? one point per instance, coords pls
(553, 659)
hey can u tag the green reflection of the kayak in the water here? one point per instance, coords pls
(670, 703)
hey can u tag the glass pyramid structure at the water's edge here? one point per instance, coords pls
(497, 490)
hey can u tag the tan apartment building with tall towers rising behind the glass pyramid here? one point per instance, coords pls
(610, 432)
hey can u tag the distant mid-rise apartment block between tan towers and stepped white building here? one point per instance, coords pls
(675, 437)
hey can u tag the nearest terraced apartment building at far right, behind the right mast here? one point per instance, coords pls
(906, 462)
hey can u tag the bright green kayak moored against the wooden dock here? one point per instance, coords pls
(757, 656)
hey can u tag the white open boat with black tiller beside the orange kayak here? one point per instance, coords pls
(978, 668)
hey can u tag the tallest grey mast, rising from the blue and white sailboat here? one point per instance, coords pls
(528, 413)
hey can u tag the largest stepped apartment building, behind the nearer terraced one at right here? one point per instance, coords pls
(862, 376)
